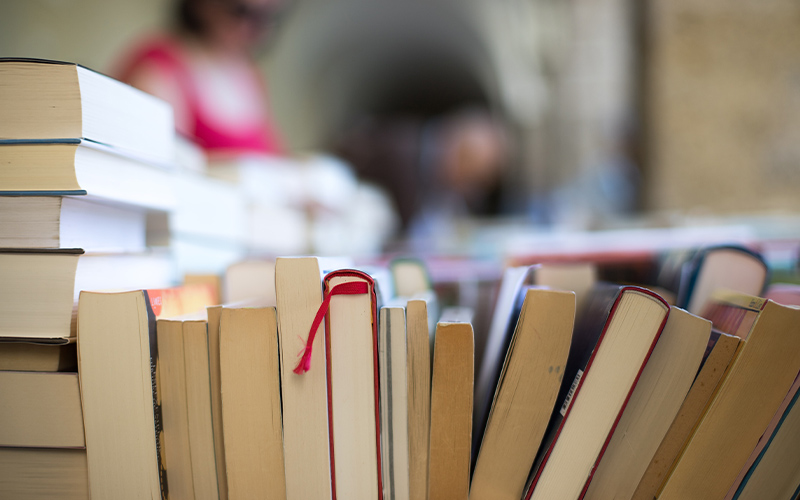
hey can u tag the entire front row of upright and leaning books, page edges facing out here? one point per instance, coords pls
(331, 395)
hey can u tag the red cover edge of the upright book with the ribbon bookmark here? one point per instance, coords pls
(374, 302)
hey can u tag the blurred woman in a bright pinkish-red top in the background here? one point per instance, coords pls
(204, 66)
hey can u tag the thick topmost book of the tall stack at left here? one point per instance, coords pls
(46, 100)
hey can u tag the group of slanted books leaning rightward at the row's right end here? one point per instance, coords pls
(654, 402)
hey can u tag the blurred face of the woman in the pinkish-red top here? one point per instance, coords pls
(238, 25)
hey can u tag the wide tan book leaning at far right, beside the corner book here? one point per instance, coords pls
(754, 388)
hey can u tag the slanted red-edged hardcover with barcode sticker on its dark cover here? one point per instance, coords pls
(614, 337)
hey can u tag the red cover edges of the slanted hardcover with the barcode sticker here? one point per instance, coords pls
(583, 378)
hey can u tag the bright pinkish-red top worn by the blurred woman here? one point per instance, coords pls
(215, 135)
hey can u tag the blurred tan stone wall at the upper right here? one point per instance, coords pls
(723, 81)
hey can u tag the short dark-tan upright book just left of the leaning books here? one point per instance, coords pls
(451, 411)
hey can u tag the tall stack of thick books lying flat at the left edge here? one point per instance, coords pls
(85, 161)
